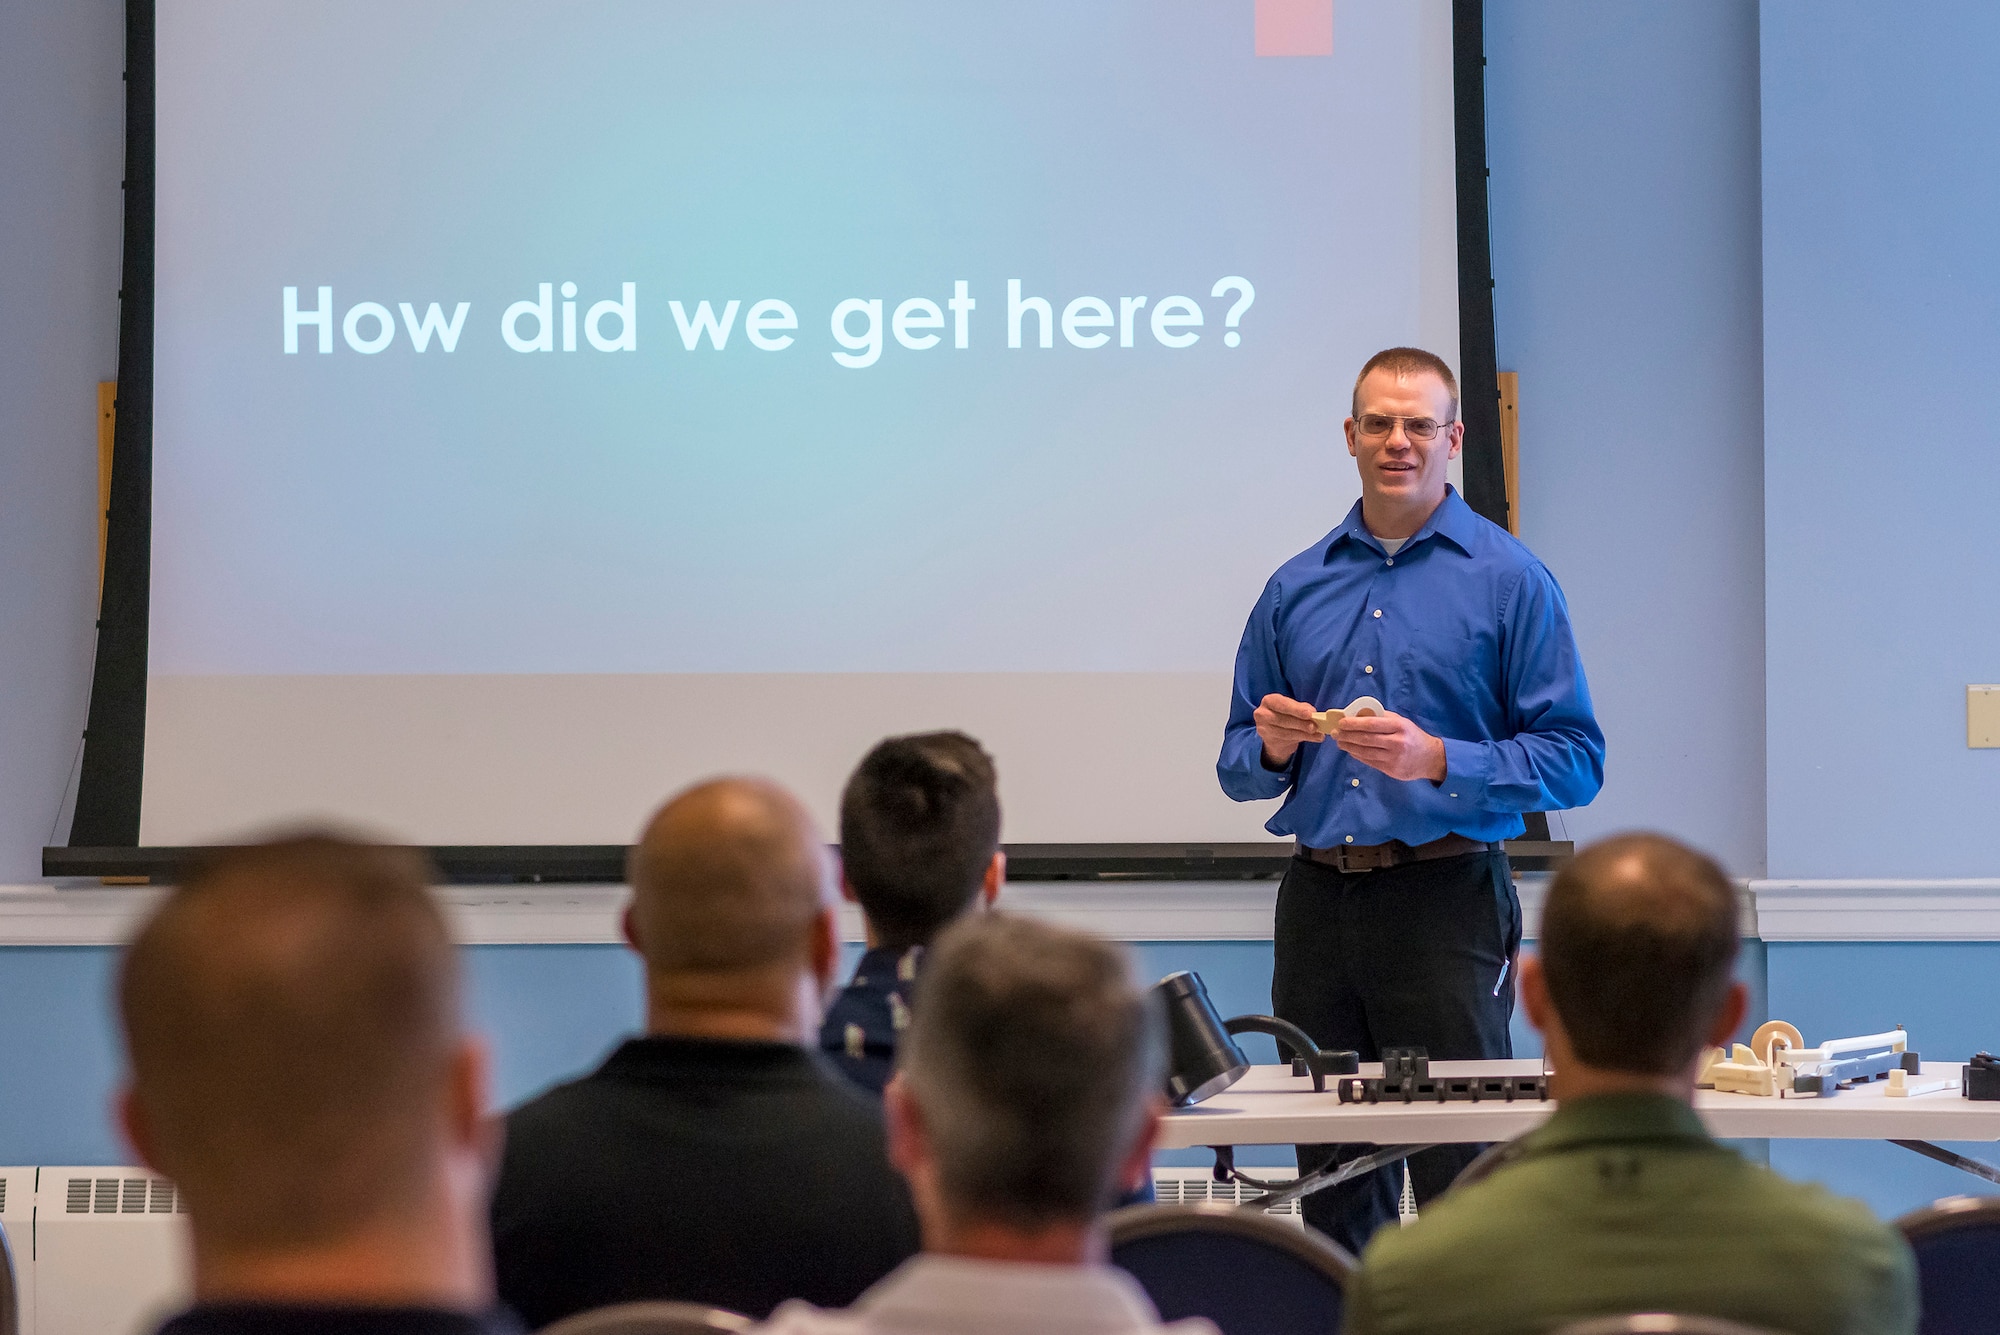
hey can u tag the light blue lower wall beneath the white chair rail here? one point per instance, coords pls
(555, 1010)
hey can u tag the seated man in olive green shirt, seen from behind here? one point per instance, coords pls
(1621, 1202)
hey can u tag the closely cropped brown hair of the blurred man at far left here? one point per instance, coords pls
(291, 1016)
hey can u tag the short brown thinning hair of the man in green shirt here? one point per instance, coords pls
(1639, 946)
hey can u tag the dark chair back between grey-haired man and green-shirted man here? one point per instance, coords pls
(1239, 1268)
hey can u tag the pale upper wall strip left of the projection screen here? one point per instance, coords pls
(61, 161)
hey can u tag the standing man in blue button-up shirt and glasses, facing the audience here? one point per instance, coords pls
(1397, 920)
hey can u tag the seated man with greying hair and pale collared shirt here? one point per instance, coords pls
(1025, 1106)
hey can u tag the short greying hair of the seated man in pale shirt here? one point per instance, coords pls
(1033, 1054)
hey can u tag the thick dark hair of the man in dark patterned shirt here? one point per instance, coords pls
(919, 826)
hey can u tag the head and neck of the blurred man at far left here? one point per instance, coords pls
(299, 1072)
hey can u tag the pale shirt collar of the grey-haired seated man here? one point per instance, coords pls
(971, 1296)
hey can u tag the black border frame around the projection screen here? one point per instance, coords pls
(107, 816)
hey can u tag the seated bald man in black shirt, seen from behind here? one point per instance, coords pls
(719, 1158)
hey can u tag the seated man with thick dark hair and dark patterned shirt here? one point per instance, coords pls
(919, 848)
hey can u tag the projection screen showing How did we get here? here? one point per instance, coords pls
(555, 405)
